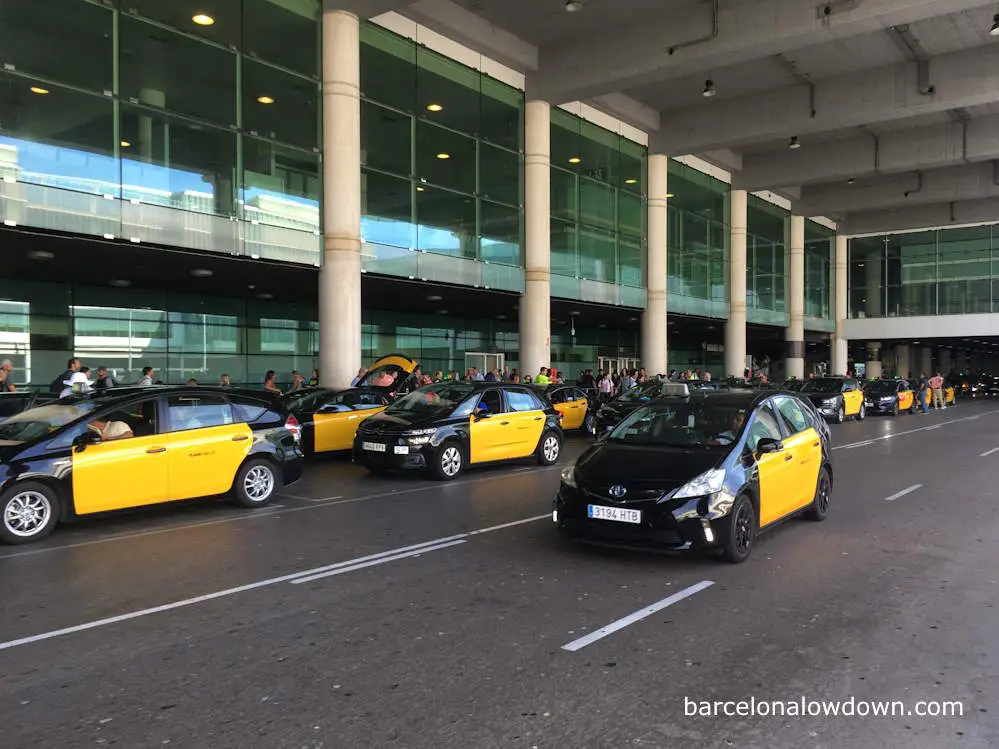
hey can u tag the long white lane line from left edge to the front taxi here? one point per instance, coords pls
(346, 566)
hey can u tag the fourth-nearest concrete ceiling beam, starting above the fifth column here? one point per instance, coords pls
(954, 183)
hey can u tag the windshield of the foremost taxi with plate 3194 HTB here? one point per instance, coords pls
(682, 424)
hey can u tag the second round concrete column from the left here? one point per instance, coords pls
(535, 306)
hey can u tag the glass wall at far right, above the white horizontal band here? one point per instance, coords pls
(941, 272)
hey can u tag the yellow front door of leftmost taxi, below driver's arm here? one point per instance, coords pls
(123, 473)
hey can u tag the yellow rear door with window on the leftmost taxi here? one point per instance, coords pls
(205, 448)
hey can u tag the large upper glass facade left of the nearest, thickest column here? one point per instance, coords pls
(152, 127)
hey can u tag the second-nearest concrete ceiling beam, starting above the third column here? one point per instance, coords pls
(966, 78)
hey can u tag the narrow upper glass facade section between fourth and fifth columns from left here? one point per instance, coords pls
(766, 262)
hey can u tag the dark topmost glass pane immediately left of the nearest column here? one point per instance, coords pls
(285, 32)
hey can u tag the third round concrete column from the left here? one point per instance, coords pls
(654, 326)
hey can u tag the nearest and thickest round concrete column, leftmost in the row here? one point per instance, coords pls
(340, 276)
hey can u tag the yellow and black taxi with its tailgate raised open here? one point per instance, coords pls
(329, 418)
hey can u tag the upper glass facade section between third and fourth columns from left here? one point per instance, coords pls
(698, 237)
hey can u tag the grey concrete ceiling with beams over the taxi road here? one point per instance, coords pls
(895, 102)
